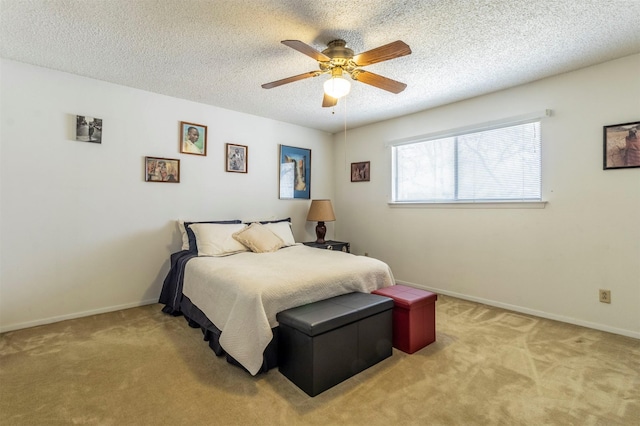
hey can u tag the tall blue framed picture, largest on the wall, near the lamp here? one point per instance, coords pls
(295, 172)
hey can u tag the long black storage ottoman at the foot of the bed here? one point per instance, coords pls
(324, 343)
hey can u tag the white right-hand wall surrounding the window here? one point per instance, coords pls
(548, 262)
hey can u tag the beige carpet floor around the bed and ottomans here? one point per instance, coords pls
(488, 367)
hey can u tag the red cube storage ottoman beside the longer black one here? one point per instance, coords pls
(414, 317)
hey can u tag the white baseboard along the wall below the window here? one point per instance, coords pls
(523, 310)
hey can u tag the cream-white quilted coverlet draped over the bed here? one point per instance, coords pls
(242, 293)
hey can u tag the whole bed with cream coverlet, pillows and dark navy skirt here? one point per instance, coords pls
(234, 290)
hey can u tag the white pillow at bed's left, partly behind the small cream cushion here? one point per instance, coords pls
(216, 239)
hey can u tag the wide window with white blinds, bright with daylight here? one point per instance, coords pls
(499, 164)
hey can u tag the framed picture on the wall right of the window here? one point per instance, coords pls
(622, 145)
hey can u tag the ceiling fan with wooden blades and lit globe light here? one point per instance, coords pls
(337, 59)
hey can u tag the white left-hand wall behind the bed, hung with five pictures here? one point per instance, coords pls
(81, 232)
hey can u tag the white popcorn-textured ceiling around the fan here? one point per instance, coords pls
(220, 52)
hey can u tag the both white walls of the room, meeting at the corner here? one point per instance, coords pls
(81, 232)
